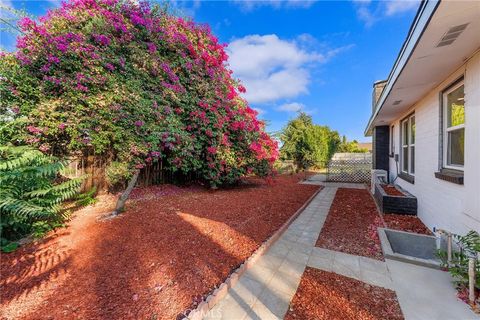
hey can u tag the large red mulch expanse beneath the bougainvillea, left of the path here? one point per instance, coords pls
(156, 260)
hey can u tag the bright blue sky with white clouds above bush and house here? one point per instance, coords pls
(320, 57)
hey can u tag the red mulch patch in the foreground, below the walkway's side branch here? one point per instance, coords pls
(326, 295)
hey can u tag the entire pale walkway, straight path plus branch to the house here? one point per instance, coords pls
(265, 291)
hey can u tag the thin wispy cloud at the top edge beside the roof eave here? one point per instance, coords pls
(372, 11)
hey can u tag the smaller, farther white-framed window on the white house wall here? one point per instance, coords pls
(408, 145)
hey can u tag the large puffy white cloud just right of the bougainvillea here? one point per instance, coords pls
(271, 68)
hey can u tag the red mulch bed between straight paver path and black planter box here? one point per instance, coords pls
(351, 225)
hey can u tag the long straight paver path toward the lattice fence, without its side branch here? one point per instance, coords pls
(265, 290)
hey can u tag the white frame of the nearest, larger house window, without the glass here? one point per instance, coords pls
(445, 129)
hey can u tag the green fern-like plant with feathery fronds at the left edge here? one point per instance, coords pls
(31, 191)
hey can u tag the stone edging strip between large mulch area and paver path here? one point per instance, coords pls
(202, 309)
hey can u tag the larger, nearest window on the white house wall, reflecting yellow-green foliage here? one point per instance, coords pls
(454, 127)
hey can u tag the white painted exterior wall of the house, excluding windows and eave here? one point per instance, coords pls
(443, 204)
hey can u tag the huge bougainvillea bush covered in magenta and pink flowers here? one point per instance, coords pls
(133, 83)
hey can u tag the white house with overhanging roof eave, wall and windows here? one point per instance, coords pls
(425, 121)
